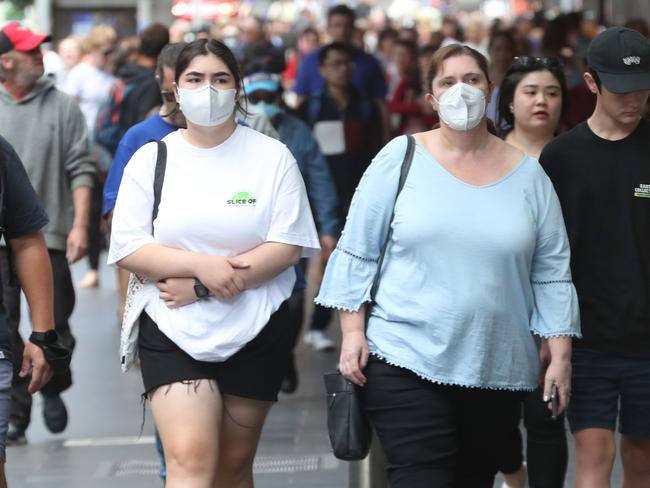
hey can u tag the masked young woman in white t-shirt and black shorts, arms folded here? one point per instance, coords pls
(234, 216)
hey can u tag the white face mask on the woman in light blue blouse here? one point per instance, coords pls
(461, 107)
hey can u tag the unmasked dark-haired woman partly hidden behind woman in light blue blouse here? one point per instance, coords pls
(533, 98)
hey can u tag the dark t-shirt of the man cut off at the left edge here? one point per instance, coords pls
(23, 213)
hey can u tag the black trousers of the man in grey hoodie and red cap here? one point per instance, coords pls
(64, 300)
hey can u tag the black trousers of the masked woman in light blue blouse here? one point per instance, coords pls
(437, 435)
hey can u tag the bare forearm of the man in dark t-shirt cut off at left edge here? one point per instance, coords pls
(34, 270)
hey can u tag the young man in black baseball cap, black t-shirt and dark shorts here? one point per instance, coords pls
(601, 173)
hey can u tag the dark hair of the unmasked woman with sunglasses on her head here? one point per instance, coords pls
(511, 80)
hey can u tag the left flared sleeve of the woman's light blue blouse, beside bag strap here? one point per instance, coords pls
(352, 266)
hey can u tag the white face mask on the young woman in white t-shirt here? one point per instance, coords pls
(207, 106)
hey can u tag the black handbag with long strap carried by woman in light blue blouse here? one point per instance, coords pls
(348, 427)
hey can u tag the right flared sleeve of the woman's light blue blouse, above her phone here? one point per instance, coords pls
(556, 311)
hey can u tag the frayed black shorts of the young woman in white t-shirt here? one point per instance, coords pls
(254, 372)
